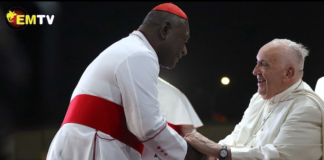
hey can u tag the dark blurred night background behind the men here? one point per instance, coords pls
(41, 64)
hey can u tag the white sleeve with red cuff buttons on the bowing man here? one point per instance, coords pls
(137, 77)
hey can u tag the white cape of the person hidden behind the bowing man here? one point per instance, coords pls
(177, 110)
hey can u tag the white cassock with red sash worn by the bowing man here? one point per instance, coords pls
(118, 94)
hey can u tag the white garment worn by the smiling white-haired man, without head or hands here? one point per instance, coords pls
(288, 126)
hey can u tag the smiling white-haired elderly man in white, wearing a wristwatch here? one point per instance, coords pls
(284, 120)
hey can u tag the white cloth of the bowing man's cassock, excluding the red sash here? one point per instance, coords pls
(125, 73)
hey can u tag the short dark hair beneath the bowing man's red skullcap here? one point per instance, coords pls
(157, 17)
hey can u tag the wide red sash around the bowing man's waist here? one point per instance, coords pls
(103, 115)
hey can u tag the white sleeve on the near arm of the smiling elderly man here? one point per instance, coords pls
(299, 137)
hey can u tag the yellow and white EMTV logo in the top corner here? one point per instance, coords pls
(17, 18)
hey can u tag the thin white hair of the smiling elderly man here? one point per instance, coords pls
(299, 51)
